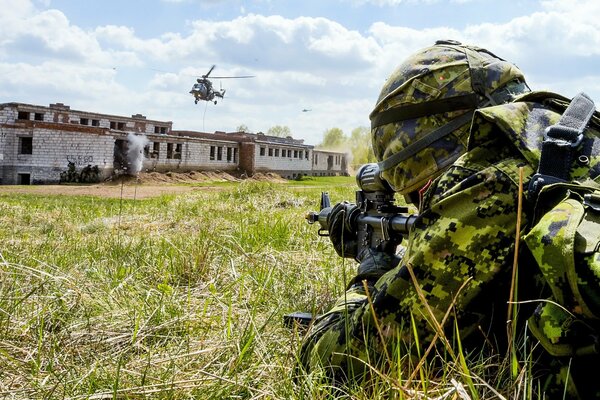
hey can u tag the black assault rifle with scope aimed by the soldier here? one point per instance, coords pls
(376, 221)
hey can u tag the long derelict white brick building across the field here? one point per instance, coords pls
(39, 144)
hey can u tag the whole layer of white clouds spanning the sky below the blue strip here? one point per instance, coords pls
(303, 62)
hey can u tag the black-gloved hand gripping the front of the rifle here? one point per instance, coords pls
(341, 234)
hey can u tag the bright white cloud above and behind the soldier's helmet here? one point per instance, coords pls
(562, 40)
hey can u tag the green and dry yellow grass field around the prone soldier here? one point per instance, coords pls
(179, 296)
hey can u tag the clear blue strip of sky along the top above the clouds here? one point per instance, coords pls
(352, 14)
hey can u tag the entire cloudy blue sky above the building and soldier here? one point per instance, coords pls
(331, 57)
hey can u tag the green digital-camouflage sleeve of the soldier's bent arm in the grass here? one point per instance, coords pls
(466, 237)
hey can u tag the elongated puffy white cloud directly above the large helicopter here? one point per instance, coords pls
(278, 43)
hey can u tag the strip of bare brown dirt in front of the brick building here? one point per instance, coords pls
(143, 186)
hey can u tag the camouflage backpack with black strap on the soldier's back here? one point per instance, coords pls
(565, 235)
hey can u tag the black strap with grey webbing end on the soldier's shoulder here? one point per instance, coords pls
(561, 140)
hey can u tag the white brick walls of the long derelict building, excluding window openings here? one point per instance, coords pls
(53, 147)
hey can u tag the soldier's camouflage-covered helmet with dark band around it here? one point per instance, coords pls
(422, 118)
